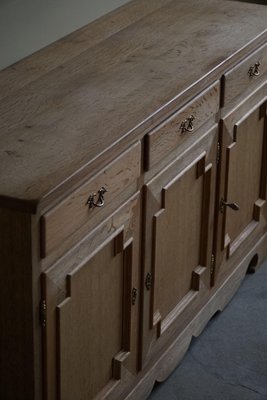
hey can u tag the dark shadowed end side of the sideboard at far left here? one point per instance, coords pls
(18, 379)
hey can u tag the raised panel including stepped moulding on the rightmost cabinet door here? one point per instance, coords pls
(245, 179)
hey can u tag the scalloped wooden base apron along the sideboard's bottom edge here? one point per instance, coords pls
(174, 353)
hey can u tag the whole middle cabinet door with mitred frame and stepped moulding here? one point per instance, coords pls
(178, 241)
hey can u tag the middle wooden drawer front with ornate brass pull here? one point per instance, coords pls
(180, 128)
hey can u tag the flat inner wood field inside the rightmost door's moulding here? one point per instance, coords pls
(248, 140)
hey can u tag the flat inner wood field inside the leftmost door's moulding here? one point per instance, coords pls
(80, 348)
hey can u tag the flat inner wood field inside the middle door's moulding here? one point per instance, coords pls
(182, 208)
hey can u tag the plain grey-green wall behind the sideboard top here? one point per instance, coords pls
(28, 25)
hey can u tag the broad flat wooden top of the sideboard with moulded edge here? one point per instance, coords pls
(68, 103)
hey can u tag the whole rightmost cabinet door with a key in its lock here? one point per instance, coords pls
(242, 202)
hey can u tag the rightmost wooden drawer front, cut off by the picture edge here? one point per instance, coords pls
(247, 74)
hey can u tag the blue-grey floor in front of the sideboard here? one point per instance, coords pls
(228, 361)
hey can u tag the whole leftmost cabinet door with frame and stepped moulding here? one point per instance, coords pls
(90, 332)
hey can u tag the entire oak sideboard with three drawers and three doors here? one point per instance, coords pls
(133, 176)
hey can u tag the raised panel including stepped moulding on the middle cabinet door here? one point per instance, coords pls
(180, 245)
